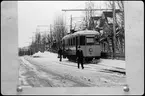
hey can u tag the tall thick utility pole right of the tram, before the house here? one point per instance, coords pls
(114, 30)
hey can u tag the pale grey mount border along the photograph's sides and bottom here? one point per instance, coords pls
(134, 47)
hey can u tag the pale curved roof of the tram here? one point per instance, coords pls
(84, 32)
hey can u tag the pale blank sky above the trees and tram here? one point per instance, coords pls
(33, 13)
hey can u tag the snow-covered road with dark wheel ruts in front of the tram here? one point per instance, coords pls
(47, 71)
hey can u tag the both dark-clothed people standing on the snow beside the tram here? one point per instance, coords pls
(79, 55)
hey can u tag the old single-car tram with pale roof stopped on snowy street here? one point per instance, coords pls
(88, 40)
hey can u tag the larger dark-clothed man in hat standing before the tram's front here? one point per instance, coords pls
(80, 57)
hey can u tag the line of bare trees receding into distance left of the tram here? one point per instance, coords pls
(47, 41)
